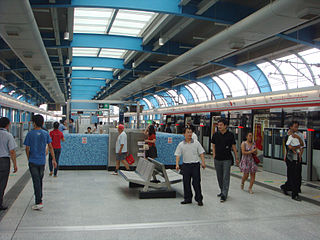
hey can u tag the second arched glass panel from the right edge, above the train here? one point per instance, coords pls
(290, 67)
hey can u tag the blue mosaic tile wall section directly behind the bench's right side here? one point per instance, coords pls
(166, 150)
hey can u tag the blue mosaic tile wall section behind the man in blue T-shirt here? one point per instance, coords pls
(93, 153)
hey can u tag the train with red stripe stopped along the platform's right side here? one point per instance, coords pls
(268, 119)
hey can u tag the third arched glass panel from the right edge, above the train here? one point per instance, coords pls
(274, 76)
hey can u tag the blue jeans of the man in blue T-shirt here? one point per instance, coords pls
(37, 176)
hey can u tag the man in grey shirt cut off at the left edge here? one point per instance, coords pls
(7, 150)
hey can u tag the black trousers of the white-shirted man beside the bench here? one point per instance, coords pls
(192, 171)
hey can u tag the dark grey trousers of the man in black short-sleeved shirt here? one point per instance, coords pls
(223, 175)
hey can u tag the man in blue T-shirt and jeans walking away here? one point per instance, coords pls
(36, 142)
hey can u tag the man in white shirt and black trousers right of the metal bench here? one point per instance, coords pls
(190, 150)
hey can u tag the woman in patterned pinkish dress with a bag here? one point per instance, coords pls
(247, 164)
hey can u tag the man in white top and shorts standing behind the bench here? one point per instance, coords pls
(121, 149)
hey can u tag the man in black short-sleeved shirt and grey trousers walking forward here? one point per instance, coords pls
(222, 143)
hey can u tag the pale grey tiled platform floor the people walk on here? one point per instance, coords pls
(97, 205)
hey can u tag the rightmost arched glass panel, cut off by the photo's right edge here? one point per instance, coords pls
(312, 57)
